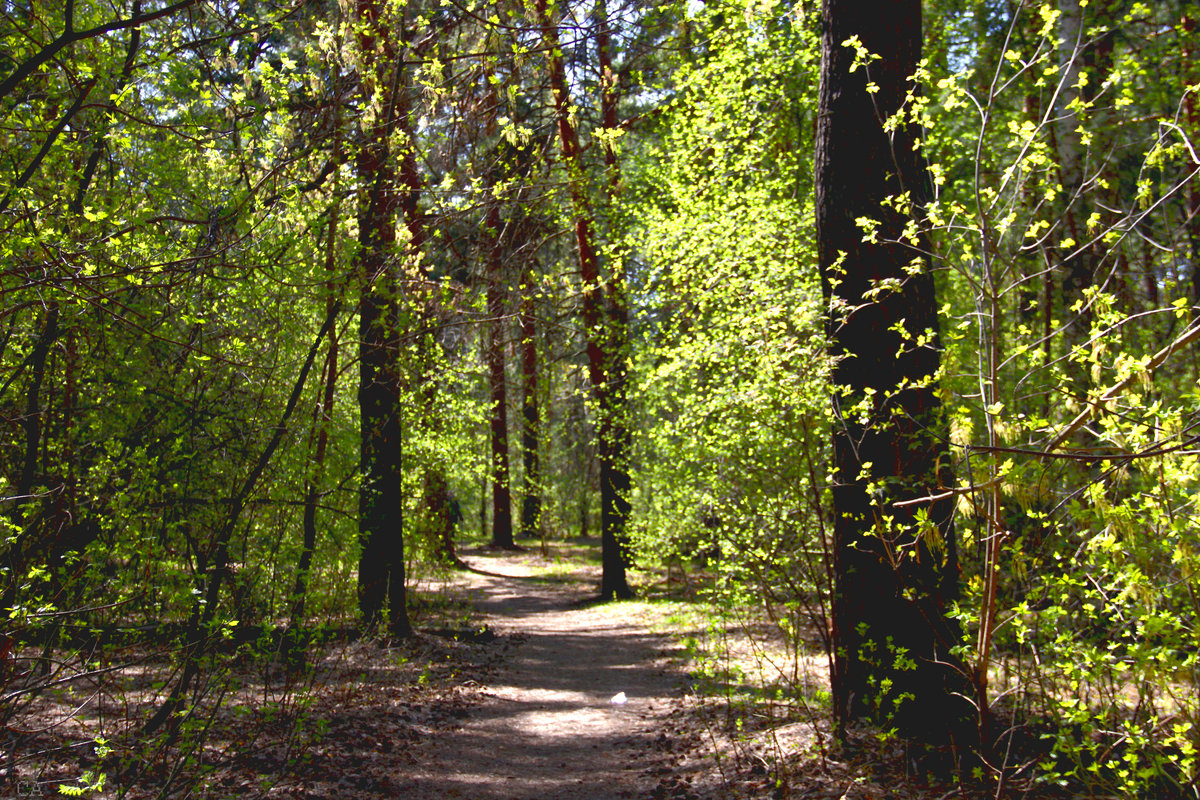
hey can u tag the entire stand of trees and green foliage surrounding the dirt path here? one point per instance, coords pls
(286, 284)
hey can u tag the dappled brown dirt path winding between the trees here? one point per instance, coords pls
(545, 727)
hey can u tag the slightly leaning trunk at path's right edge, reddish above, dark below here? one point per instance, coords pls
(604, 329)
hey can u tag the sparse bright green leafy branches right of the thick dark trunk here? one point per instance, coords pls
(1059, 233)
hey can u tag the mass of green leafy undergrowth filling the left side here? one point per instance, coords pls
(189, 282)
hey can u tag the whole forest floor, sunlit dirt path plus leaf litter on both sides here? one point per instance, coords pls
(519, 687)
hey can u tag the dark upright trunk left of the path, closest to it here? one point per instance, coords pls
(381, 507)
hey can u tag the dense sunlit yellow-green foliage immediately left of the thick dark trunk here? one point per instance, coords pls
(730, 360)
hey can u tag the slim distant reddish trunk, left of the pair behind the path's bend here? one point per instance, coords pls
(502, 494)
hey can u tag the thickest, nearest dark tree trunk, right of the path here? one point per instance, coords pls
(895, 573)
